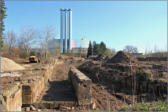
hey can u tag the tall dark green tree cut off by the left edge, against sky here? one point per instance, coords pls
(2, 17)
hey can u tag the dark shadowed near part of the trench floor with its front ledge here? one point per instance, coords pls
(57, 94)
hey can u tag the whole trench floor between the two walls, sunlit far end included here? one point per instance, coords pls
(58, 92)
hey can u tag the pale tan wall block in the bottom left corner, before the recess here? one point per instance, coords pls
(11, 98)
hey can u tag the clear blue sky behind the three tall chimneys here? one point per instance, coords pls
(117, 23)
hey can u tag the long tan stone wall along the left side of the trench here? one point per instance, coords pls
(24, 91)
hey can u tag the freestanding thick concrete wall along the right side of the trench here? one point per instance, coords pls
(82, 86)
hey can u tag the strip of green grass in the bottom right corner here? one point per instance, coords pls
(154, 106)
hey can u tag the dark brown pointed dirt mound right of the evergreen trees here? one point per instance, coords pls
(122, 57)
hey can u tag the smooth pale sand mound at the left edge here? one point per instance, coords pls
(9, 65)
